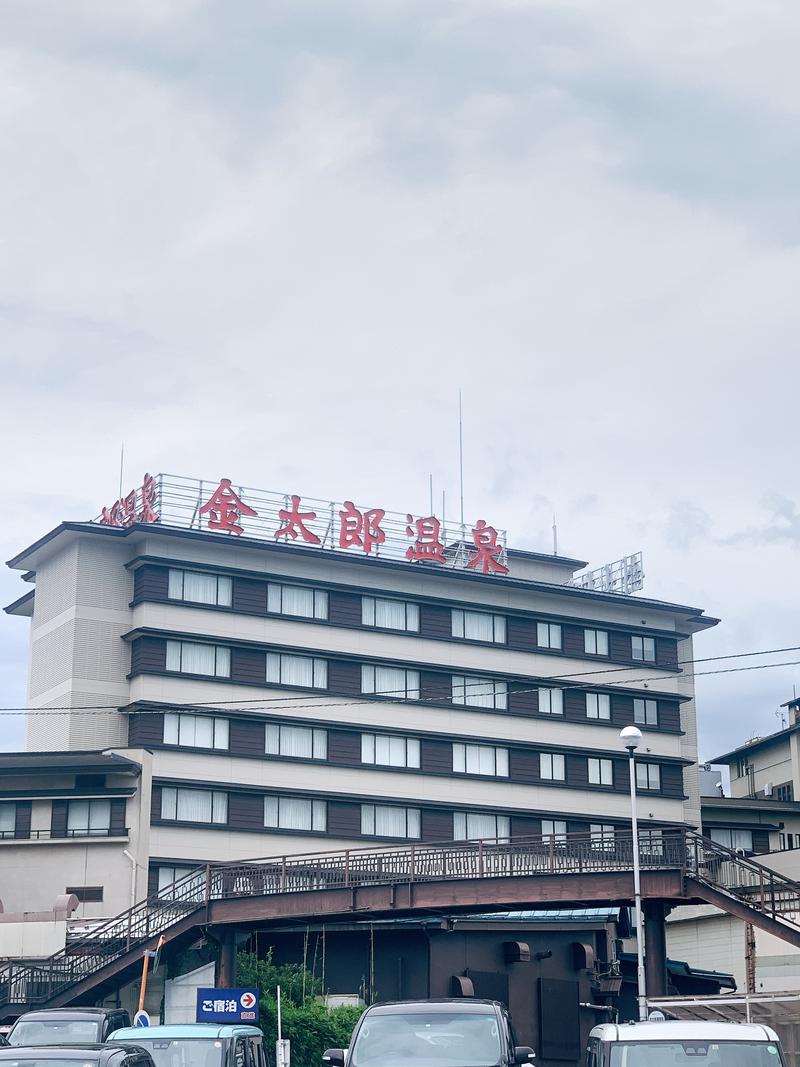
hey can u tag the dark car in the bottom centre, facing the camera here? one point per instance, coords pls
(435, 1033)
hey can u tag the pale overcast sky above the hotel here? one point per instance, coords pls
(270, 242)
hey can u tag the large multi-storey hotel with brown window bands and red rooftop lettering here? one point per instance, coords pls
(200, 694)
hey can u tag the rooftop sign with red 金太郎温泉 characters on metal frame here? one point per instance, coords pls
(236, 511)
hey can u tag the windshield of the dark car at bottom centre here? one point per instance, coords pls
(429, 1040)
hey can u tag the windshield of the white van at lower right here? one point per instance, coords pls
(696, 1054)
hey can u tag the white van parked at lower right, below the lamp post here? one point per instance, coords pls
(678, 1044)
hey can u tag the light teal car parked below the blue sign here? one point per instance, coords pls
(198, 1045)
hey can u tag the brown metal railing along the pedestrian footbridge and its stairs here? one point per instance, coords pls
(685, 851)
